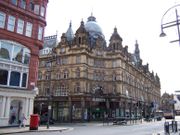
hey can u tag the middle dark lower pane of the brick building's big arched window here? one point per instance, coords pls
(15, 78)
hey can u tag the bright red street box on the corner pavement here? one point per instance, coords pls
(34, 122)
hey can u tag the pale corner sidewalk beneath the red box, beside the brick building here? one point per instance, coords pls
(11, 130)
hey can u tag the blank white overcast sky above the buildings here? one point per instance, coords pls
(135, 20)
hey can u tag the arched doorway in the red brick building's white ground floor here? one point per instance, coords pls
(15, 112)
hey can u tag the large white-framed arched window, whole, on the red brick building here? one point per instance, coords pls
(13, 73)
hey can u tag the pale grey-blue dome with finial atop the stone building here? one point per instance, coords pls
(92, 27)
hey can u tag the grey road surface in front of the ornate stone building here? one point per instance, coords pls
(100, 129)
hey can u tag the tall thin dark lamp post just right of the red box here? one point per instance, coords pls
(51, 57)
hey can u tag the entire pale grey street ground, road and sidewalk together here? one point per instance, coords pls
(146, 128)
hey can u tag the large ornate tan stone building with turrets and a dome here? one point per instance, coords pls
(87, 79)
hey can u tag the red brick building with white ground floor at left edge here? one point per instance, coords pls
(22, 24)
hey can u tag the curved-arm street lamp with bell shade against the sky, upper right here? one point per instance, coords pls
(173, 23)
